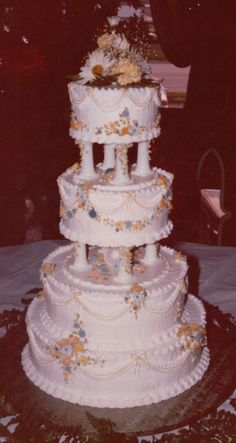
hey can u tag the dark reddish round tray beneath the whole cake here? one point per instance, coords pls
(34, 416)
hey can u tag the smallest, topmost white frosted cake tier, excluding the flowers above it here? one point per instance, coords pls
(118, 115)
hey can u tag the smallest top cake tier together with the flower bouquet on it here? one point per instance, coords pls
(114, 98)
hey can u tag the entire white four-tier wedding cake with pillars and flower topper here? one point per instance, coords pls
(114, 325)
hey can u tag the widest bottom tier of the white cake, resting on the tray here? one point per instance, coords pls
(116, 378)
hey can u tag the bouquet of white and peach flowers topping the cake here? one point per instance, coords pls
(115, 62)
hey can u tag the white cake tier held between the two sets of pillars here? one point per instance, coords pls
(98, 212)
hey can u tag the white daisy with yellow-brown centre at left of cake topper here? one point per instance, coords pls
(96, 65)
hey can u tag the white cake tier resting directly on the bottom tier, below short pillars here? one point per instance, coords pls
(129, 313)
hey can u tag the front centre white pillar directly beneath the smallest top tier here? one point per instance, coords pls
(121, 168)
